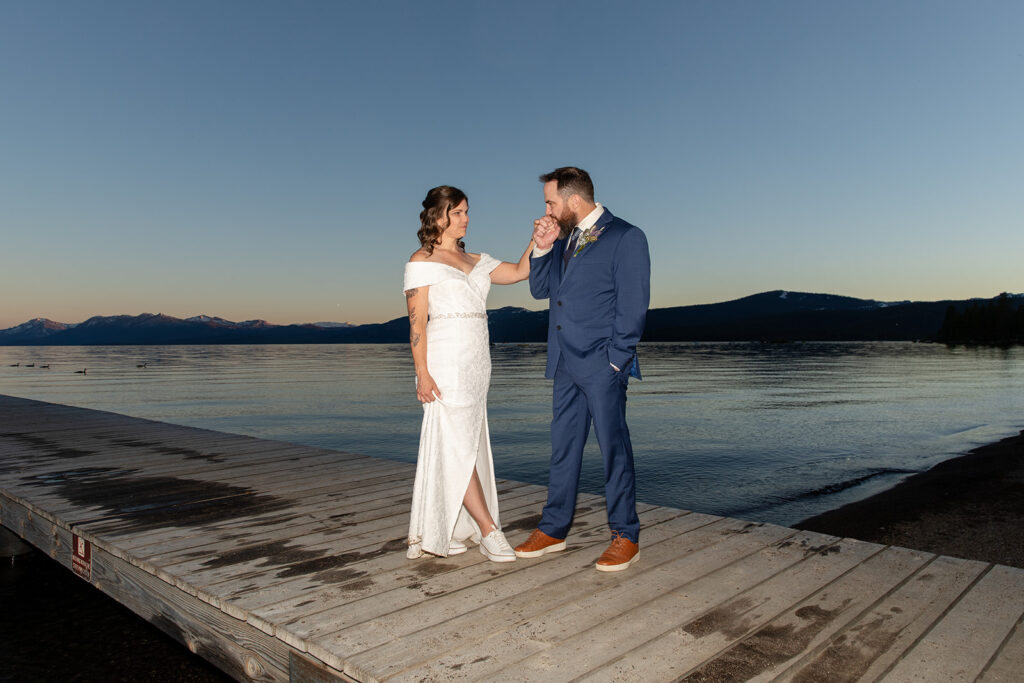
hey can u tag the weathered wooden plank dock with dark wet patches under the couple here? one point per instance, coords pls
(284, 563)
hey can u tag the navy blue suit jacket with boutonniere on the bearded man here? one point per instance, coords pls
(600, 304)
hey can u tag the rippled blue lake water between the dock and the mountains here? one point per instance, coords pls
(765, 433)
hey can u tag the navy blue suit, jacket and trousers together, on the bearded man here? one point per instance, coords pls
(599, 305)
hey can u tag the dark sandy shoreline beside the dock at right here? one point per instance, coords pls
(970, 507)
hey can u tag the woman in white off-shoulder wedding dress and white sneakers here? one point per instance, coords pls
(454, 497)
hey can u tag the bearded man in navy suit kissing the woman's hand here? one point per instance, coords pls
(595, 271)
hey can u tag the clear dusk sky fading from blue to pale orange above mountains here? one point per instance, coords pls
(269, 159)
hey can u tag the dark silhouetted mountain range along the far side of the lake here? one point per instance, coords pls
(771, 317)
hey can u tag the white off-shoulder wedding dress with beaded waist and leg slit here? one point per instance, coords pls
(454, 439)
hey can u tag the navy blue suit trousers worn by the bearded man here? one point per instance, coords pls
(579, 402)
